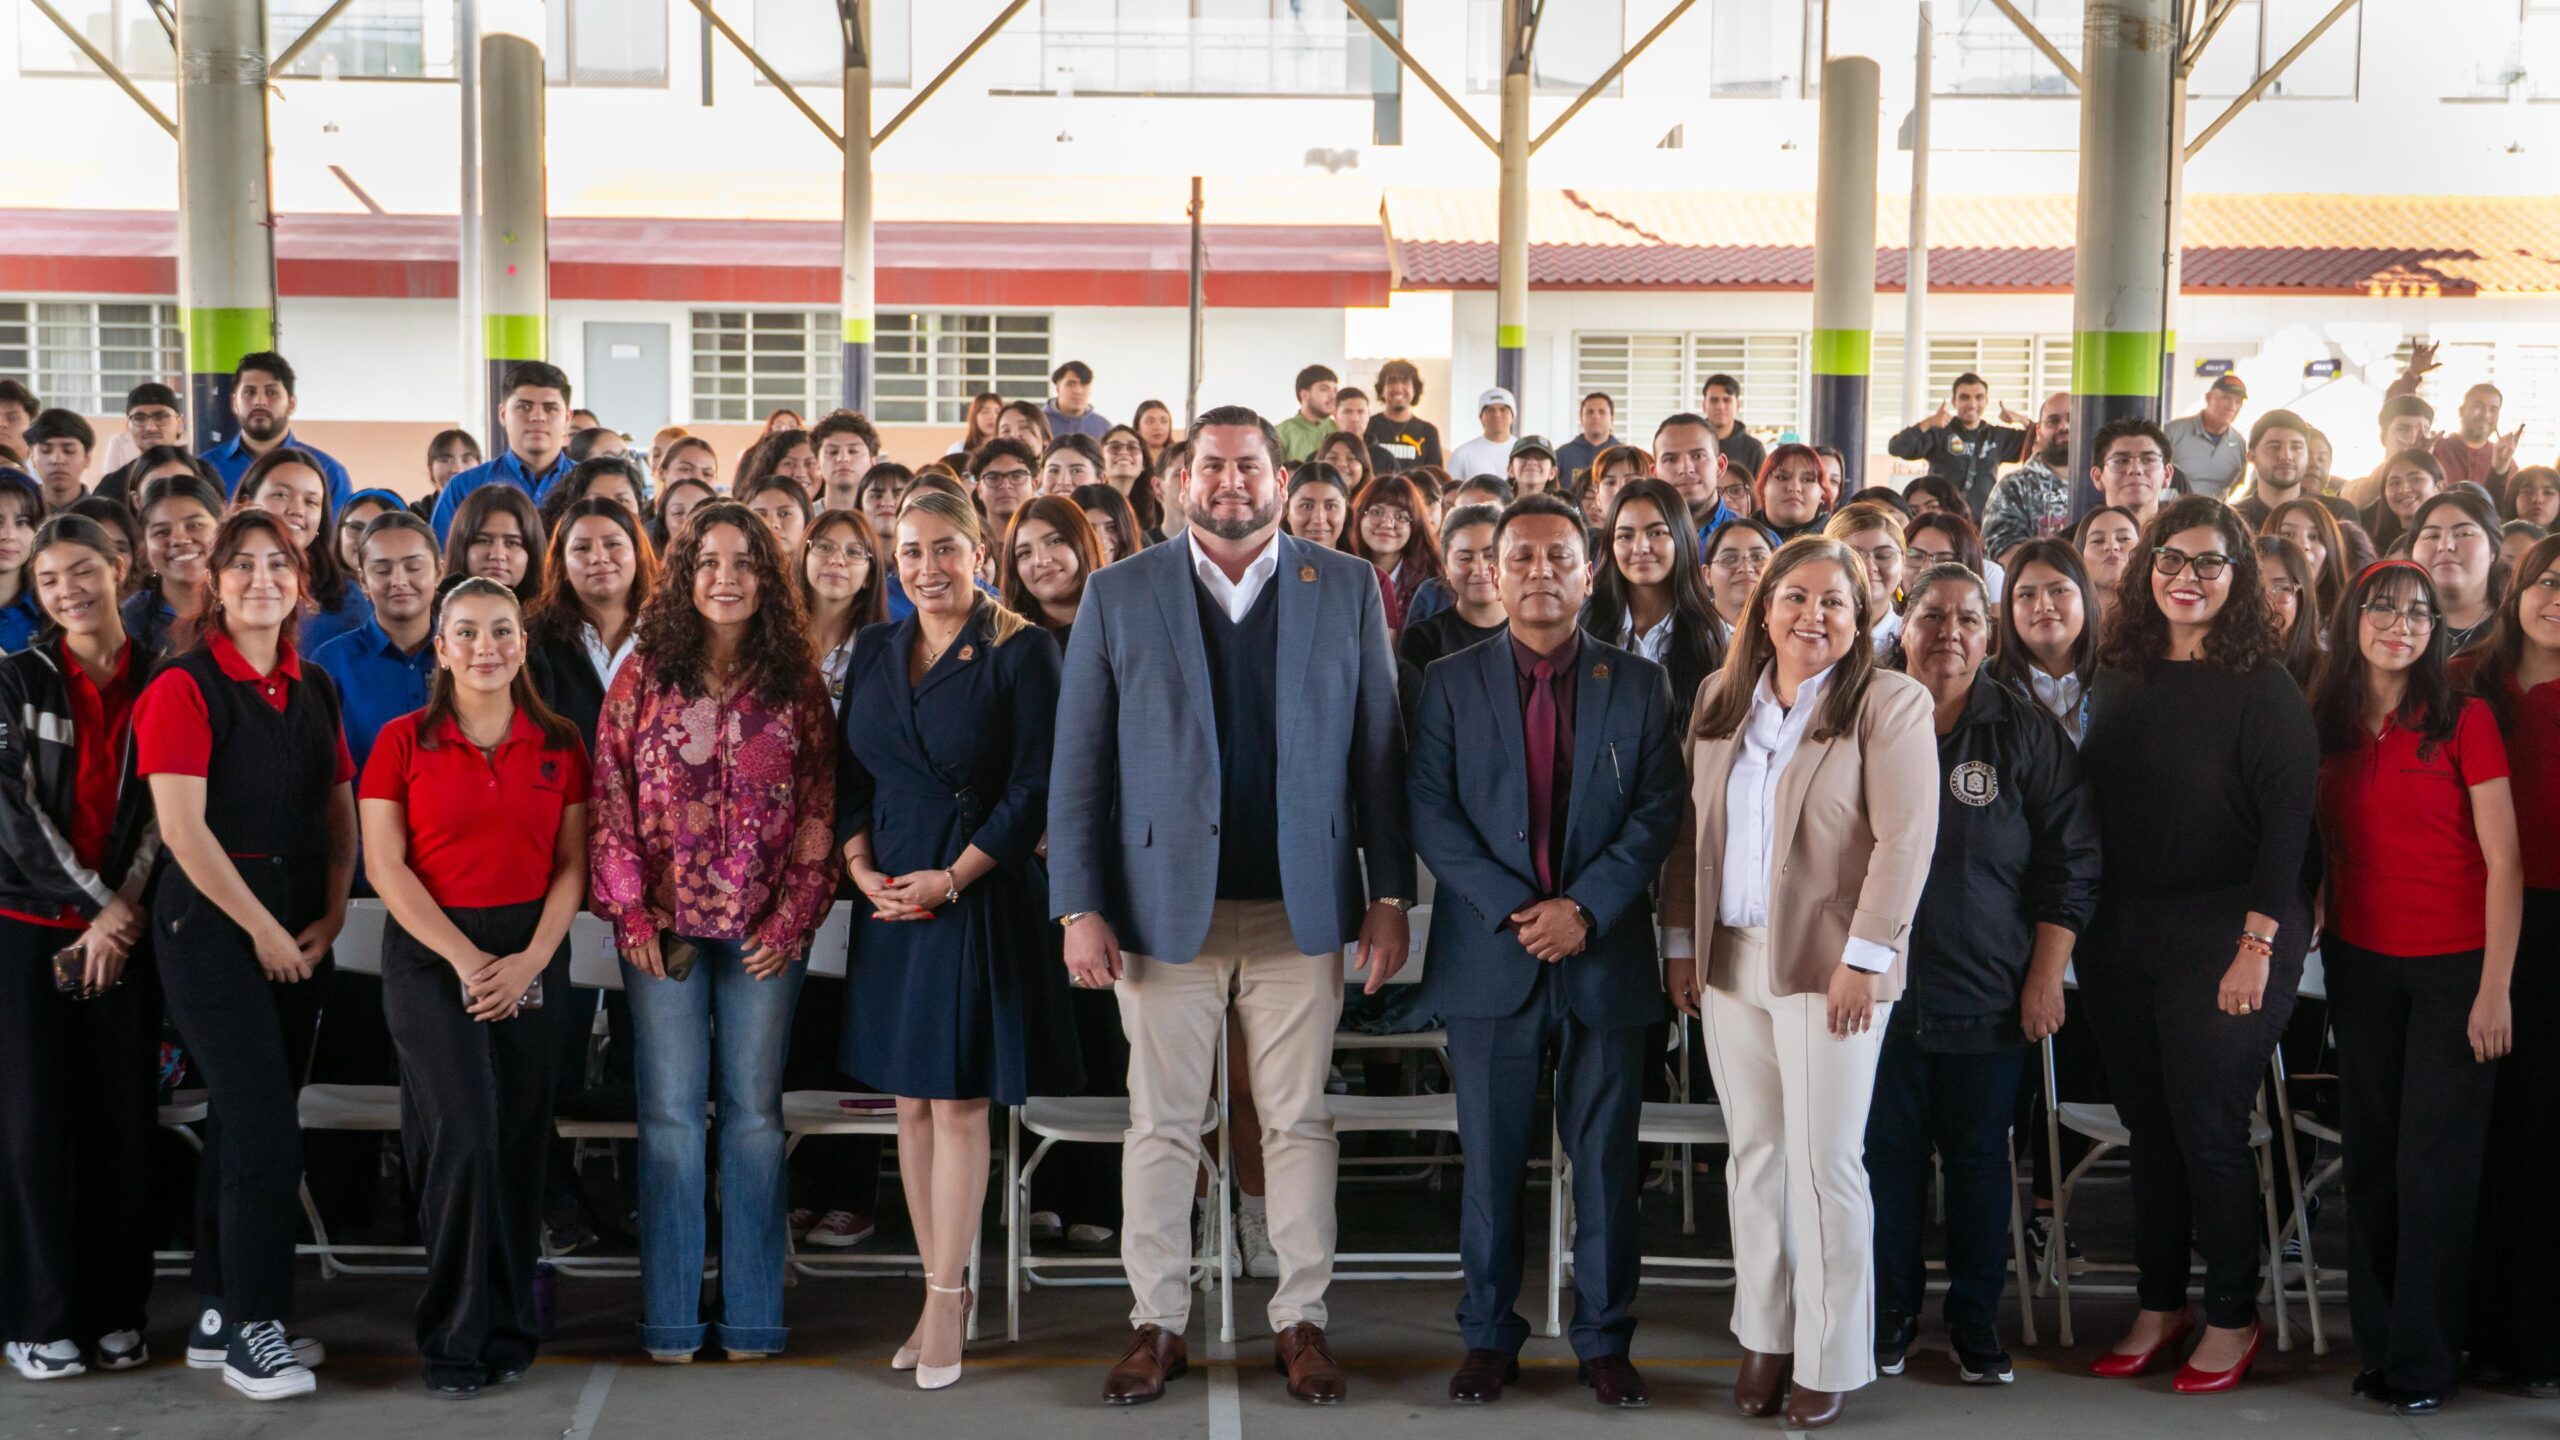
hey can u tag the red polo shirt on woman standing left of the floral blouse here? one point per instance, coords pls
(483, 831)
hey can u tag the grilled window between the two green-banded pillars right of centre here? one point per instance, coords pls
(1652, 375)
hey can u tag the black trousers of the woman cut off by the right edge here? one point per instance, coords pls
(2515, 1326)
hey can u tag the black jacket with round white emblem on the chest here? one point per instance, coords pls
(2016, 849)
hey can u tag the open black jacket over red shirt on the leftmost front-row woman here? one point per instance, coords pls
(40, 775)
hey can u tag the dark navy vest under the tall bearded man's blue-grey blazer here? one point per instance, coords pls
(1243, 683)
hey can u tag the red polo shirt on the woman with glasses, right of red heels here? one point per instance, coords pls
(2405, 860)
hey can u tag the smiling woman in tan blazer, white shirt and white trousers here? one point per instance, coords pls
(1814, 788)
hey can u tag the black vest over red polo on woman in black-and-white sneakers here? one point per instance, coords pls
(270, 780)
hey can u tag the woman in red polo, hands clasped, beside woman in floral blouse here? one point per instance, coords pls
(475, 837)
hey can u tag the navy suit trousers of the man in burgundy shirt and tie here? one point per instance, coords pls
(1599, 1070)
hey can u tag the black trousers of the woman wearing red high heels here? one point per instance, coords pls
(2185, 1080)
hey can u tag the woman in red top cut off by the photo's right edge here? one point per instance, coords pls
(2515, 1331)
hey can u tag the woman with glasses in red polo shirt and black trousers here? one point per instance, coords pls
(2423, 906)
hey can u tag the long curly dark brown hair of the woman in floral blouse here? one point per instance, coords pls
(774, 657)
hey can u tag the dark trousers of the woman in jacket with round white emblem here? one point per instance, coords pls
(1960, 1108)
